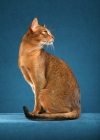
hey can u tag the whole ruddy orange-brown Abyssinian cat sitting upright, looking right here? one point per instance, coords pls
(56, 91)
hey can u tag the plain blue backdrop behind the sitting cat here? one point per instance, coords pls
(76, 27)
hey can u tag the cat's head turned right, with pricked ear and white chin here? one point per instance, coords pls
(40, 34)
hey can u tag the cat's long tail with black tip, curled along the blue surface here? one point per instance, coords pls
(57, 116)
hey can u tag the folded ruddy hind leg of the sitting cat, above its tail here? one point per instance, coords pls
(50, 102)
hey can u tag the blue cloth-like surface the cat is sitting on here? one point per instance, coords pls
(15, 126)
